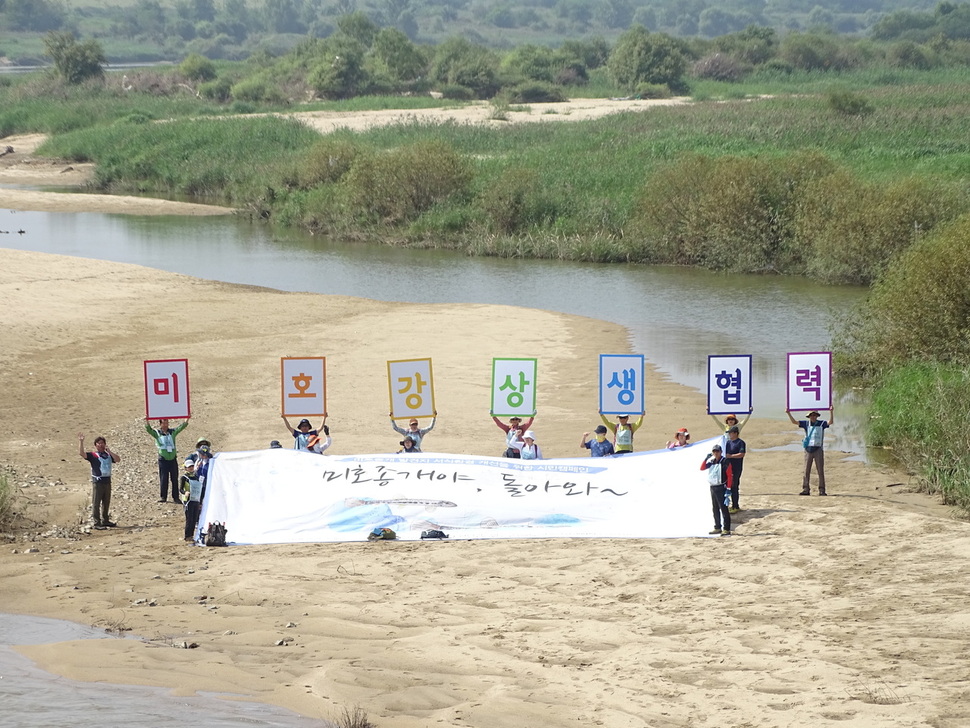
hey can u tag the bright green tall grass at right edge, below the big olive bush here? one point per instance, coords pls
(921, 411)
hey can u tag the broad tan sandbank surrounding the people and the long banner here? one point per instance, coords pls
(844, 610)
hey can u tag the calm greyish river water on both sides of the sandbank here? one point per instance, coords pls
(675, 317)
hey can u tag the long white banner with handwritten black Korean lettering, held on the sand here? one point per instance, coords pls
(287, 496)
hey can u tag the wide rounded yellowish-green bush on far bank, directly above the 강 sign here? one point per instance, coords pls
(396, 186)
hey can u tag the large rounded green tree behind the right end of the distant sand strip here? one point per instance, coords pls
(640, 56)
